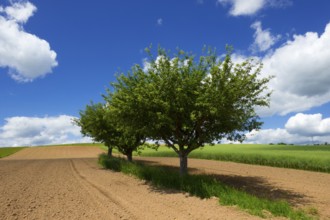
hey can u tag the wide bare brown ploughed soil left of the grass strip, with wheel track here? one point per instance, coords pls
(66, 183)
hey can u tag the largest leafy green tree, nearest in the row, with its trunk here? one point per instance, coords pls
(188, 102)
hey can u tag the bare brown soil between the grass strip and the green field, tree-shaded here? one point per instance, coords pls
(303, 189)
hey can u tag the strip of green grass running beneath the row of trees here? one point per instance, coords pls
(203, 186)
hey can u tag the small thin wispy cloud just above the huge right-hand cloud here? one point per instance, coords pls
(263, 39)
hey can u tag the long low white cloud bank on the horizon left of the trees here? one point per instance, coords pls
(29, 131)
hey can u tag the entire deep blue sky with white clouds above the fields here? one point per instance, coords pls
(57, 56)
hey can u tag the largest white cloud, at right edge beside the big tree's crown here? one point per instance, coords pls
(302, 73)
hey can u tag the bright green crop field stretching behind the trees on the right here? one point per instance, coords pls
(314, 158)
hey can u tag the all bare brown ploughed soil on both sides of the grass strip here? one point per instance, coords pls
(67, 183)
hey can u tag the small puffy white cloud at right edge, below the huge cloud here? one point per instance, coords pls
(308, 125)
